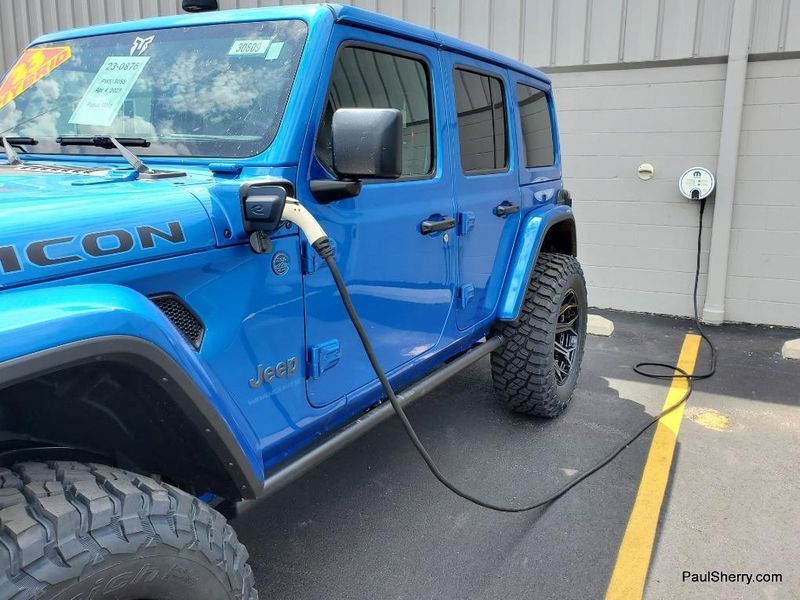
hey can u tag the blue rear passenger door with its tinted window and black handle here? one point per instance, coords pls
(486, 184)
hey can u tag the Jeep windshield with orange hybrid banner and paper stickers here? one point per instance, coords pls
(208, 91)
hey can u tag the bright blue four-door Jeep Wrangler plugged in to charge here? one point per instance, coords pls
(172, 339)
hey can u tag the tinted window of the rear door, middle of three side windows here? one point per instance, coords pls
(481, 121)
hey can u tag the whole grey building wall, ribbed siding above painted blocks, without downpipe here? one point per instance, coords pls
(636, 237)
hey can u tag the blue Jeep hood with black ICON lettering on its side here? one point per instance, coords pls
(56, 225)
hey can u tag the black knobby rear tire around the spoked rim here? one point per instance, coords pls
(523, 369)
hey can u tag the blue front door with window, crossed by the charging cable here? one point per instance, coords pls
(401, 280)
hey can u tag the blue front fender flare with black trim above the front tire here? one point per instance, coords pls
(48, 328)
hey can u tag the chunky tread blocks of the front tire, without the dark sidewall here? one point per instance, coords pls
(59, 517)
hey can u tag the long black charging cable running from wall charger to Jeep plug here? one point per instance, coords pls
(324, 249)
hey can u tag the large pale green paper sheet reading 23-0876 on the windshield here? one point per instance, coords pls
(108, 90)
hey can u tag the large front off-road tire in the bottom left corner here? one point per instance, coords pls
(75, 531)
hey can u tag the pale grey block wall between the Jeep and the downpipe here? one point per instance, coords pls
(637, 239)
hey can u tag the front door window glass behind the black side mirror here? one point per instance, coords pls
(366, 78)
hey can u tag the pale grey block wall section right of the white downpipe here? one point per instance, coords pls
(764, 256)
